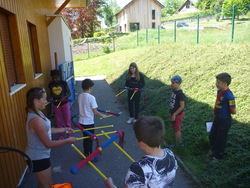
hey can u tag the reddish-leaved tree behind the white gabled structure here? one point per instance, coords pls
(83, 21)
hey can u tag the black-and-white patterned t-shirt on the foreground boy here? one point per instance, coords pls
(152, 172)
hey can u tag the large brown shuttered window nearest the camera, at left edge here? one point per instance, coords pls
(10, 49)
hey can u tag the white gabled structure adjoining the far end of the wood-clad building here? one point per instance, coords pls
(60, 42)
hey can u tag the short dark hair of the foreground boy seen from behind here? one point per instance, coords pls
(149, 130)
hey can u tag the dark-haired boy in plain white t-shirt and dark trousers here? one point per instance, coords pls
(87, 110)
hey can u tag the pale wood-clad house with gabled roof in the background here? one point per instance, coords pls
(139, 14)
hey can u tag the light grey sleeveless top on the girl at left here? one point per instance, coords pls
(35, 149)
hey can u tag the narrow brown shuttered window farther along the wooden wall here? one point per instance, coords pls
(34, 48)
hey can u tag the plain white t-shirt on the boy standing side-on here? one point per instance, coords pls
(87, 103)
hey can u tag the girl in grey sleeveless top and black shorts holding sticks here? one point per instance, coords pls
(39, 131)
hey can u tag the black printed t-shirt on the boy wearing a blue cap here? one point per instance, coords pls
(175, 99)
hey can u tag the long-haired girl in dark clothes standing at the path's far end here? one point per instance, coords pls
(134, 79)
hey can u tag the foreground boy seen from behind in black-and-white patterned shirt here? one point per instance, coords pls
(158, 167)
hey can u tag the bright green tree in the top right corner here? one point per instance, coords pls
(242, 7)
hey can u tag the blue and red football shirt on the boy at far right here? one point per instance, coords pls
(224, 101)
